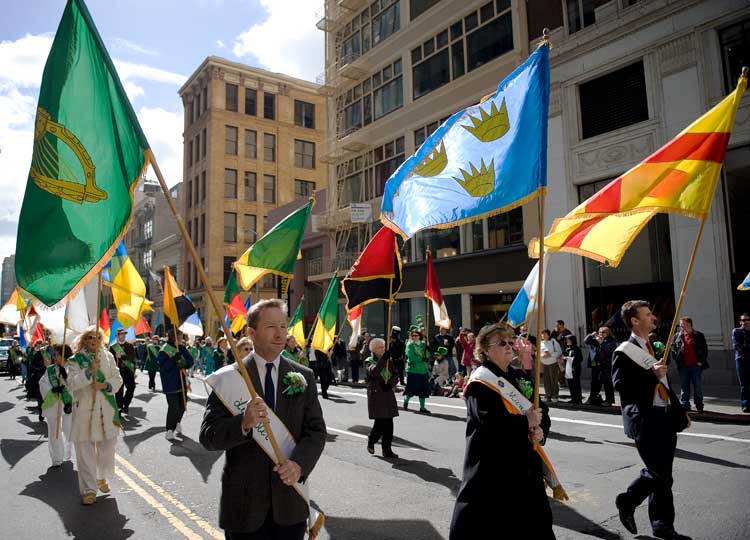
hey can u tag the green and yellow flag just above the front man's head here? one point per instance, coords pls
(275, 253)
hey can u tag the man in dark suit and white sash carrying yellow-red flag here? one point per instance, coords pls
(652, 416)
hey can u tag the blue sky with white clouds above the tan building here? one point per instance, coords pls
(155, 45)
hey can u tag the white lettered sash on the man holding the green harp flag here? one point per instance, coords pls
(231, 389)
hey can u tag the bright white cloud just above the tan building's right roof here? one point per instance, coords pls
(287, 41)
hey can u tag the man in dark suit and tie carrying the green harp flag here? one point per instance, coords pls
(258, 501)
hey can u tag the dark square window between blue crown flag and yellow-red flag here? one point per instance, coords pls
(613, 101)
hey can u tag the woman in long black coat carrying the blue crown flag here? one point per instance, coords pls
(503, 486)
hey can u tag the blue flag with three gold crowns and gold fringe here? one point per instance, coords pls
(486, 159)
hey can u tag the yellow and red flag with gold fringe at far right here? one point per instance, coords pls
(679, 178)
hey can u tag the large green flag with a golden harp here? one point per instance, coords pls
(89, 152)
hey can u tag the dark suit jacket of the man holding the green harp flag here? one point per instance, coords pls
(249, 486)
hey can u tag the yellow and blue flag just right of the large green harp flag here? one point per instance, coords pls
(128, 288)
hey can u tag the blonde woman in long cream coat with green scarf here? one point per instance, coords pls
(93, 379)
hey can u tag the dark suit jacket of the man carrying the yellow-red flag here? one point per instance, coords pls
(636, 386)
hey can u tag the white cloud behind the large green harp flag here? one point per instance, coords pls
(21, 67)
